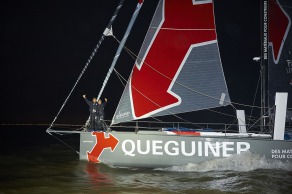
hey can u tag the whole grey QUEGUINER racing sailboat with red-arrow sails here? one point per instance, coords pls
(171, 75)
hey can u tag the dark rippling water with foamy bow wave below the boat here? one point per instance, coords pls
(39, 164)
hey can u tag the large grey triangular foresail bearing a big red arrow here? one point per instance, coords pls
(178, 68)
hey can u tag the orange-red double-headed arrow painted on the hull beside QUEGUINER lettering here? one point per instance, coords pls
(101, 143)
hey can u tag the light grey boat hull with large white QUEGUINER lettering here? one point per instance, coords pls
(152, 149)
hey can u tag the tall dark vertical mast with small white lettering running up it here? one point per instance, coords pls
(264, 58)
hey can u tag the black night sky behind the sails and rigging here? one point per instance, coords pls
(44, 46)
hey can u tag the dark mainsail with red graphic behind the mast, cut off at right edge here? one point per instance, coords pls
(280, 49)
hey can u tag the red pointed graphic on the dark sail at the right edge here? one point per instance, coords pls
(278, 27)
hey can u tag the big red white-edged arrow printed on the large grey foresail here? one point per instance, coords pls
(184, 25)
